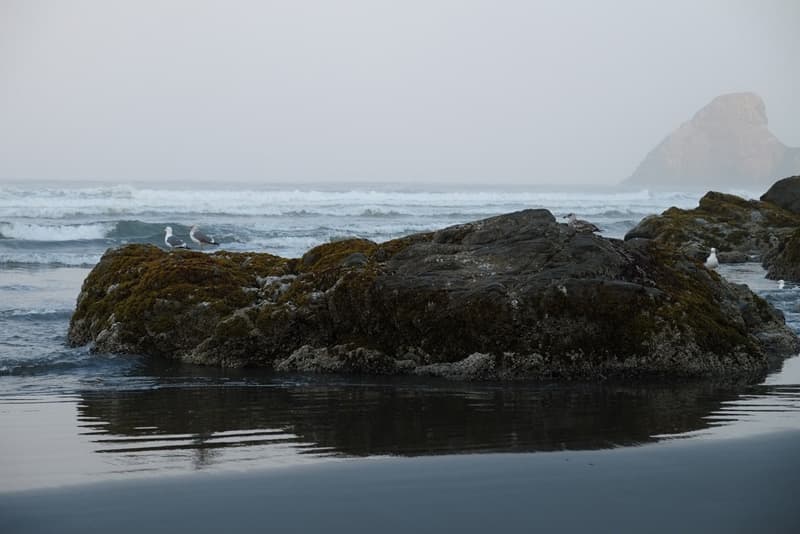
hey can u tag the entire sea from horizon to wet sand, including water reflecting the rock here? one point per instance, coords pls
(71, 418)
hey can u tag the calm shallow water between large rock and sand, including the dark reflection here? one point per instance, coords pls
(178, 419)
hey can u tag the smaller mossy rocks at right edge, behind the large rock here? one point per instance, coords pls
(741, 230)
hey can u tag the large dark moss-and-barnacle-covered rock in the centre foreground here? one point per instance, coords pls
(514, 296)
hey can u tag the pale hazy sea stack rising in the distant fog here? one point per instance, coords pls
(727, 144)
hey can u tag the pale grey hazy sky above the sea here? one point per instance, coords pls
(322, 91)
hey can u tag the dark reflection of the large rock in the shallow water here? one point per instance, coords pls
(391, 418)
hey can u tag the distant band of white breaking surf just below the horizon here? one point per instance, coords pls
(127, 201)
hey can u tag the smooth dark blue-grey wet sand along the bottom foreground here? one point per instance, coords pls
(694, 485)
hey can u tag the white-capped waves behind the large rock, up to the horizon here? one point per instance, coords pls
(287, 222)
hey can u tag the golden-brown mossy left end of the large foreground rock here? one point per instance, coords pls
(165, 299)
